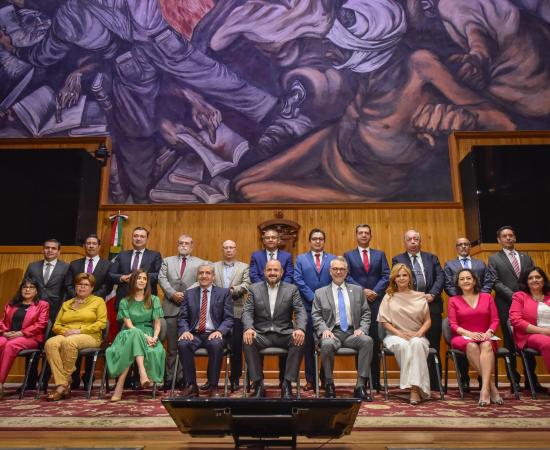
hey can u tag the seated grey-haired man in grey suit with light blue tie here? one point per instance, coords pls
(341, 318)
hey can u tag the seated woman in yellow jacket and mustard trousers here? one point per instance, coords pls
(78, 325)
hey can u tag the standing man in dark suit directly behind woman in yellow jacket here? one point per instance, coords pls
(99, 268)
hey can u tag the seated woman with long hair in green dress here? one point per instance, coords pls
(139, 340)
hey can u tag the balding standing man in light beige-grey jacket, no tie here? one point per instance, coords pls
(234, 275)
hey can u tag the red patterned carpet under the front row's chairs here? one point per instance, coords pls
(138, 410)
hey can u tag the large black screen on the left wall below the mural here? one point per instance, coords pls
(48, 194)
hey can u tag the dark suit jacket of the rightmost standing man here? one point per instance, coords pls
(506, 280)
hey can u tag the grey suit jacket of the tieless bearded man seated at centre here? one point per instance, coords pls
(257, 313)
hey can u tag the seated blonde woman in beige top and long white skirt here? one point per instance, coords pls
(405, 315)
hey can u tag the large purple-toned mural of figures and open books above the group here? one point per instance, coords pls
(274, 101)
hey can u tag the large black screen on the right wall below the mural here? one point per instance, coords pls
(506, 185)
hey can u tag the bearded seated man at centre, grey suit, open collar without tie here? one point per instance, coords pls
(267, 322)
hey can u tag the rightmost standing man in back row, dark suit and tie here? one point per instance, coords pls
(507, 265)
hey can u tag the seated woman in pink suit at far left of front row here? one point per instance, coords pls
(22, 327)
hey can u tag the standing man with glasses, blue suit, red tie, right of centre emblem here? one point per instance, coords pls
(312, 272)
